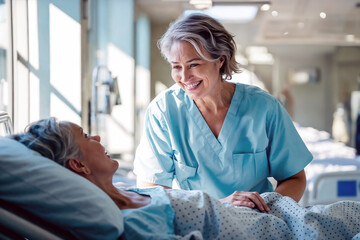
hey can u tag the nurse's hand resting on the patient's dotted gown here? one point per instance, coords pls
(247, 199)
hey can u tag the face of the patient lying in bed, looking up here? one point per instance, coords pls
(94, 155)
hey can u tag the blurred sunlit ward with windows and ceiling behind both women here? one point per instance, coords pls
(95, 62)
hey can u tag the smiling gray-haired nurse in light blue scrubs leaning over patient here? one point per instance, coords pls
(212, 135)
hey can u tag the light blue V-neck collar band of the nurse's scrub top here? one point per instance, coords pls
(216, 143)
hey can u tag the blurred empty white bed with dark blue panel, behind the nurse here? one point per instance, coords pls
(334, 173)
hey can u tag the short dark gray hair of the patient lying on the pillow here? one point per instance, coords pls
(52, 139)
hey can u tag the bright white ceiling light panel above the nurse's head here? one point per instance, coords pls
(239, 14)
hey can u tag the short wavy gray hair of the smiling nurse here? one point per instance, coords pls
(204, 33)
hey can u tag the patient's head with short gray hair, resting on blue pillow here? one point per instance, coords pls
(67, 144)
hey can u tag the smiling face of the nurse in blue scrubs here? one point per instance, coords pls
(198, 77)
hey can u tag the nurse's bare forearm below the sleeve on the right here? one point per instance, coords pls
(293, 186)
